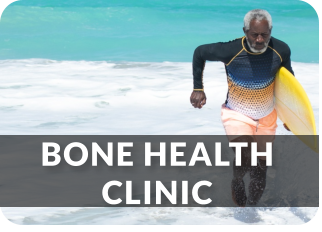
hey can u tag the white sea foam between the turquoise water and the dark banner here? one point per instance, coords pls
(81, 97)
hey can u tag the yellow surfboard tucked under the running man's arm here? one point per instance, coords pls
(294, 108)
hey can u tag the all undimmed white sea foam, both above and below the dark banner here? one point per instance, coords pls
(47, 97)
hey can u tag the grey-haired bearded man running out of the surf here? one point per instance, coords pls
(251, 63)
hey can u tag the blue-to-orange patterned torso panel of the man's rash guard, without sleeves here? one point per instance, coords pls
(251, 79)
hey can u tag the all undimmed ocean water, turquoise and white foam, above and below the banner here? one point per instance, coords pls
(124, 68)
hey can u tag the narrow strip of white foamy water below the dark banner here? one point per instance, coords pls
(161, 216)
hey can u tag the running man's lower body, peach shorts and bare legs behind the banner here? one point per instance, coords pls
(235, 125)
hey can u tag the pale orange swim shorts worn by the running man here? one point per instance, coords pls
(237, 124)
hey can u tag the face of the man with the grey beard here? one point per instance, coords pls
(258, 35)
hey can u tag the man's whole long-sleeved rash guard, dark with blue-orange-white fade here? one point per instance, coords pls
(250, 75)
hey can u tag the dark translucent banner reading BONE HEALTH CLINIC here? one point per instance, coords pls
(157, 171)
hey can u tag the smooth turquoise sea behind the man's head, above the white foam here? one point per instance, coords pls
(145, 30)
